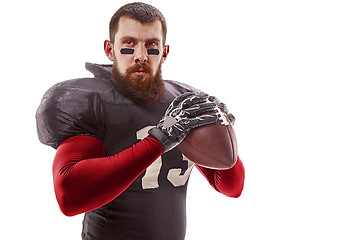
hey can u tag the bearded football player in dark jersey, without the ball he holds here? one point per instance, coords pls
(116, 156)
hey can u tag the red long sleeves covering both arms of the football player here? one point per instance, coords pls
(85, 180)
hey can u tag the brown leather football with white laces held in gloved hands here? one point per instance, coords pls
(212, 146)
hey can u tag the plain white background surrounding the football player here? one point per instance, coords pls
(288, 70)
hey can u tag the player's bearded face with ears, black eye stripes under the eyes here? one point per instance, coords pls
(138, 73)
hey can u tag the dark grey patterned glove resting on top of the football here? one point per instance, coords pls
(183, 114)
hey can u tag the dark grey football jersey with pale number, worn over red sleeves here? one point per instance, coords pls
(153, 207)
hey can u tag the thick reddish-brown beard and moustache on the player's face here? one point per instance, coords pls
(143, 90)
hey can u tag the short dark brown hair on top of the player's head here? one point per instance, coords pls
(139, 11)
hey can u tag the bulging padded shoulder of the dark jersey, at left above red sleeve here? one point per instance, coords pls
(71, 108)
